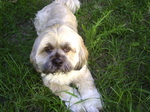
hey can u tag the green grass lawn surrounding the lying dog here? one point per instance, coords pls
(116, 33)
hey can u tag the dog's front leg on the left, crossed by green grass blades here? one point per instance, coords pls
(69, 95)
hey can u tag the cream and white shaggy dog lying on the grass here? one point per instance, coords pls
(60, 55)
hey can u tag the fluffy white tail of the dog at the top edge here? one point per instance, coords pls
(73, 5)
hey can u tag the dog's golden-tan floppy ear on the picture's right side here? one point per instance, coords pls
(83, 57)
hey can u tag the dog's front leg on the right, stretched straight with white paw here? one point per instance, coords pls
(89, 93)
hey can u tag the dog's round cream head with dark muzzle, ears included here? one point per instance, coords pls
(58, 49)
